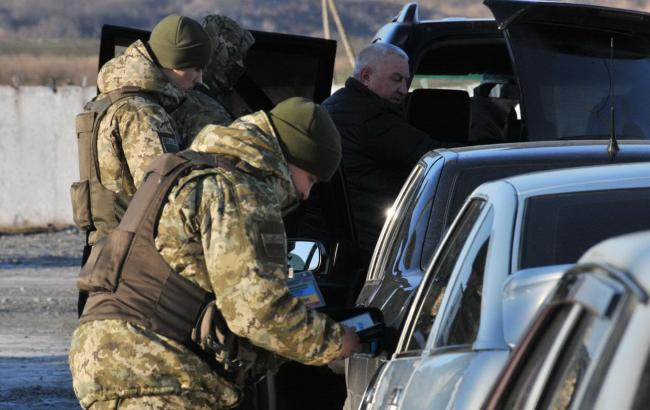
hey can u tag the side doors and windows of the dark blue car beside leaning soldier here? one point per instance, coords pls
(395, 271)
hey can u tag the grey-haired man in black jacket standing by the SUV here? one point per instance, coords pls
(379, 147)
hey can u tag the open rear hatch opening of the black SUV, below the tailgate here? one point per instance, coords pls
(478, 110)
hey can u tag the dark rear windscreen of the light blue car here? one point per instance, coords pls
(558, 229)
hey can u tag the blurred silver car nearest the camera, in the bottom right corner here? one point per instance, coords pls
(589, 347)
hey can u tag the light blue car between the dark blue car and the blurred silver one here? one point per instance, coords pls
(502, 256)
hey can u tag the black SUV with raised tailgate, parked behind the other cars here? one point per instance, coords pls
(540, 71)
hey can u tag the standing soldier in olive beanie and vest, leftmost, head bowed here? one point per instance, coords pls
(137, 127)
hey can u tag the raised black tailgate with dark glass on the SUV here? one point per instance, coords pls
(574, 63)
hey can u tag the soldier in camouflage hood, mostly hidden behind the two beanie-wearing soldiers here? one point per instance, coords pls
(230, 43)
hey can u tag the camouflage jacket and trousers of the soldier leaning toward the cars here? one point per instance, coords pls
(222, 229)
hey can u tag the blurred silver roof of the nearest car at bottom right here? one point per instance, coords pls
(629, 253)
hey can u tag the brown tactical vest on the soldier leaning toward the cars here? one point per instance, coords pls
(127, 278)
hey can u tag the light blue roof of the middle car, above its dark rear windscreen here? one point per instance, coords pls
(599, 177)
